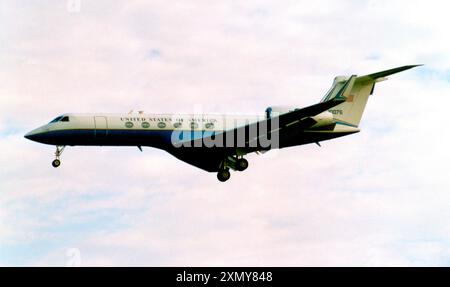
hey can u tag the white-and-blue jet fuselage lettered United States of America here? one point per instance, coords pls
(151, 129)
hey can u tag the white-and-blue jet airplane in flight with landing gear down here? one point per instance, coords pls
(218, 143)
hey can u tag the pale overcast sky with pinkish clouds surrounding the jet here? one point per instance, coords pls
(377, 198)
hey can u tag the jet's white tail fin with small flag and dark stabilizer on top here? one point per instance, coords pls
(350, 112)
